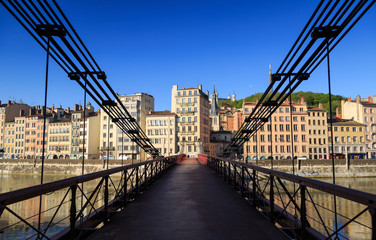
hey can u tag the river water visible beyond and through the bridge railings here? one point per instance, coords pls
(30, 208)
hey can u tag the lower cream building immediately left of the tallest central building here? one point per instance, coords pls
(161, 130)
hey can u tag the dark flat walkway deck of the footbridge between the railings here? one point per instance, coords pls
(189, 202)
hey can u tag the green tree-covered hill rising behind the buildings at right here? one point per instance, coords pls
(312, 99)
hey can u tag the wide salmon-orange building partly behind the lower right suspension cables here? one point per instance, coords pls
(274, 138)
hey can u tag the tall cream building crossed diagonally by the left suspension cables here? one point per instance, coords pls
(116, 145)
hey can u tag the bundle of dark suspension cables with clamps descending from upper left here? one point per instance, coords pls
(46, 22)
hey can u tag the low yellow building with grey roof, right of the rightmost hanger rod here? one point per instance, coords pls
(349, 139)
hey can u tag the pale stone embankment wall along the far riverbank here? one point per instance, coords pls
(306, 168)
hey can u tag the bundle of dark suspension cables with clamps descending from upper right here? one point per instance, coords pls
(330, 22)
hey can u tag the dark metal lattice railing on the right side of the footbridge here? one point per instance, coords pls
(300, 206)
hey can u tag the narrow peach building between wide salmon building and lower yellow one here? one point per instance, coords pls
(317, 133)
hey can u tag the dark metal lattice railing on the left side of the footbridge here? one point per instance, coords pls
(111, 190)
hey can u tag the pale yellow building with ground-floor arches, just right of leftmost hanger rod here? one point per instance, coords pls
(59, 139)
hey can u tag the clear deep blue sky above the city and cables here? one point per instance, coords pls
(147, 46)
